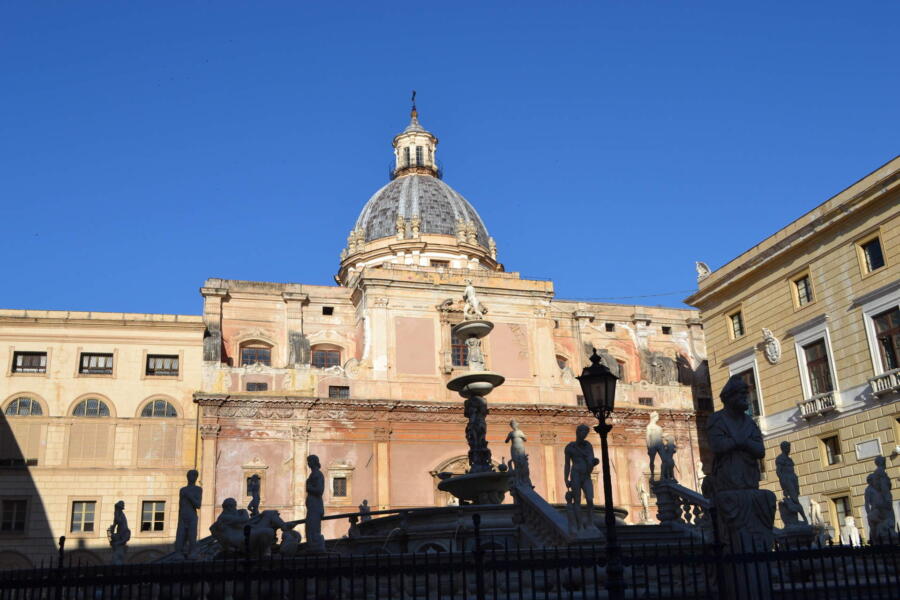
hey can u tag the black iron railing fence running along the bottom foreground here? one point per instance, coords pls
(491, 571)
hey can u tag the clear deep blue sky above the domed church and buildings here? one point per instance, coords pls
(147, 146)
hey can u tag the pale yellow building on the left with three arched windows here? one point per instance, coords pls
(97, 407)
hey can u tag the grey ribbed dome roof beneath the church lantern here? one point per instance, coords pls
(438, 206)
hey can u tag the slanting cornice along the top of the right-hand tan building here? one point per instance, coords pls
(825, 214)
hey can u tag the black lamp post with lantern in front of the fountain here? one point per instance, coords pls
(598, 384)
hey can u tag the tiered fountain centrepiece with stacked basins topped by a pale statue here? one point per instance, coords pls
(481, 484)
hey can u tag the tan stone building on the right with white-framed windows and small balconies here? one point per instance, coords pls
(810, 317)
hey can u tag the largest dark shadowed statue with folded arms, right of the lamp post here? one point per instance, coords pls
(746, 513)
